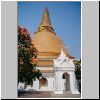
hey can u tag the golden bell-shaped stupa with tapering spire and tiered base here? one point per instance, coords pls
(48, 44)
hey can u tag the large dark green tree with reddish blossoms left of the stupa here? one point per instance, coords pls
(27, 58)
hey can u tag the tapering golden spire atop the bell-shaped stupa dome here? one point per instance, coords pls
(45, 22)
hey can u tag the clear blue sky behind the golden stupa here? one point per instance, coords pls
(65, 19)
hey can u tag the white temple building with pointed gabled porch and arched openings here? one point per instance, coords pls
(61, 79)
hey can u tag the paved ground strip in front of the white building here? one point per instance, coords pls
(46, 94)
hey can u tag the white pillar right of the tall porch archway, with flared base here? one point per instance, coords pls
(73, 84)
